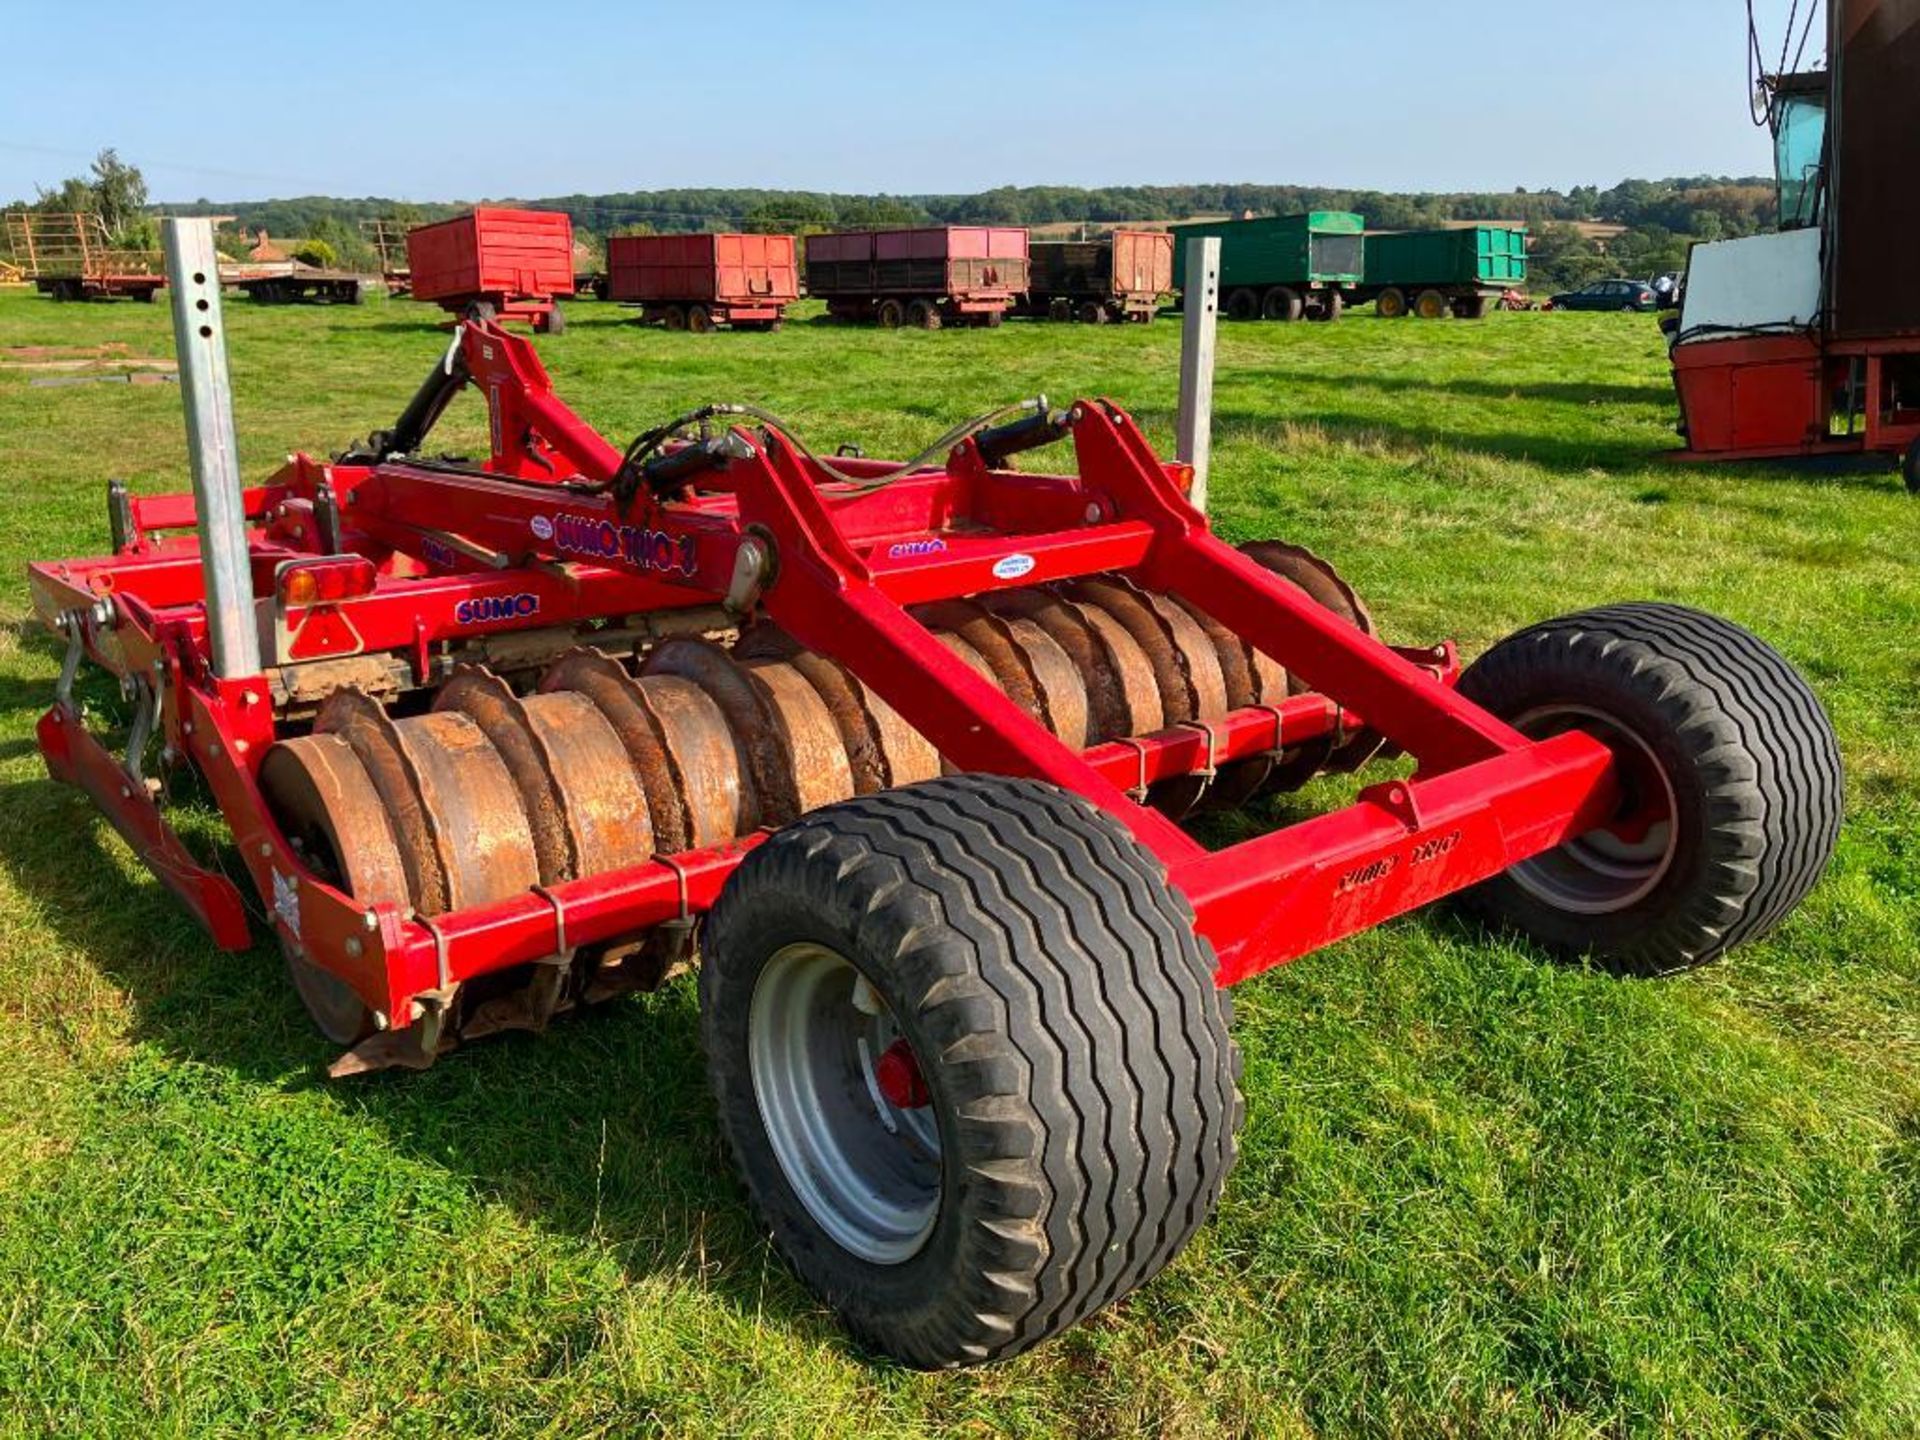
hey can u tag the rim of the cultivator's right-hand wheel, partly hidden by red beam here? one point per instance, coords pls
(1600, 873)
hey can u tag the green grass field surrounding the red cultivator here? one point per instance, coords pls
(1479, 1193)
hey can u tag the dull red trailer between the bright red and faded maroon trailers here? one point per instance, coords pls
(700, 281)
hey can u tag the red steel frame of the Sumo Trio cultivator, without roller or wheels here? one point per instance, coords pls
(848, 565)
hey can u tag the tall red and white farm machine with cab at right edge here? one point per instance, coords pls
(1806, 343)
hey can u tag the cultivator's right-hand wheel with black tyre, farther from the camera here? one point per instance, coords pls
(1729, 773)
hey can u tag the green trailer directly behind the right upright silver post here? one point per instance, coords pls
(1282, 268)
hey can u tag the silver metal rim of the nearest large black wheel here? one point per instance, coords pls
(865, 1170)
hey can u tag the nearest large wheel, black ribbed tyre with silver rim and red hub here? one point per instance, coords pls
(971, 1061)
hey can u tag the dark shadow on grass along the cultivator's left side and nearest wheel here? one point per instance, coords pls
(600, 1130)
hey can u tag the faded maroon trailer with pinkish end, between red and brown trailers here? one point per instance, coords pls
(924, 277)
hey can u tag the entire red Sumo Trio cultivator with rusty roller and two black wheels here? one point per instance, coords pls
(901, 750)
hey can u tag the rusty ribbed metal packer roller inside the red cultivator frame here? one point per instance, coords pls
(688, 744)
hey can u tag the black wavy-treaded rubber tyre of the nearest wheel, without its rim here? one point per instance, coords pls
(1072, 1013)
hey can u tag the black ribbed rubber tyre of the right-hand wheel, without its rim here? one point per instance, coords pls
(1762, 746)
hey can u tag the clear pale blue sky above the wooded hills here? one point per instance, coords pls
(468, 101)
